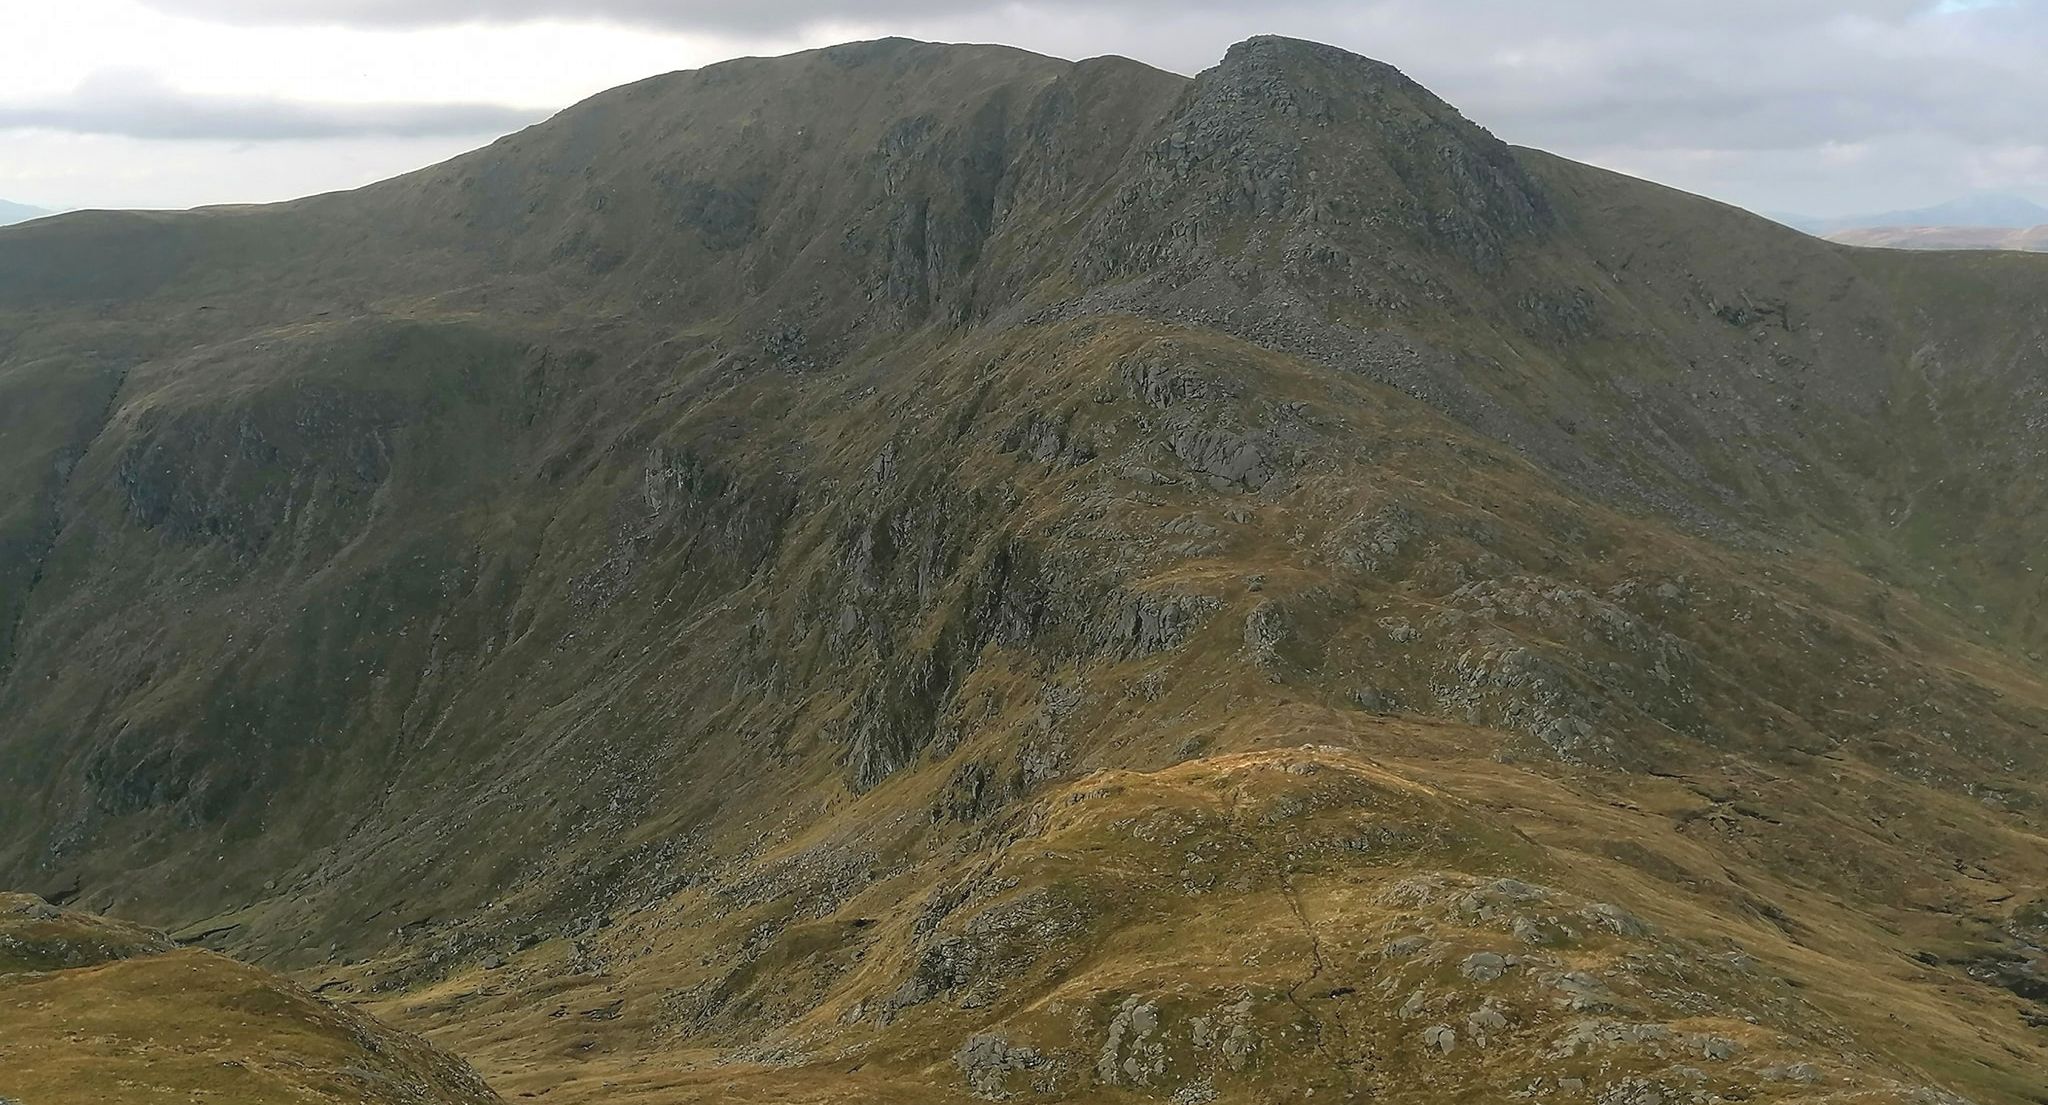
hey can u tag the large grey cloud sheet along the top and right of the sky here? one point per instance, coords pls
(1703, 93)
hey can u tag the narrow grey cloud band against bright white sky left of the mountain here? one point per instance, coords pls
(138, 105)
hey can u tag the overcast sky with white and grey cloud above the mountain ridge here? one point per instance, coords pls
(1779, 105)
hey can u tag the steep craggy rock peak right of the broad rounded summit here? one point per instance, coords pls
(1326, 167)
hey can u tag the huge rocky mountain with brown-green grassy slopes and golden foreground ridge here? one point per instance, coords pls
(935, 574)
